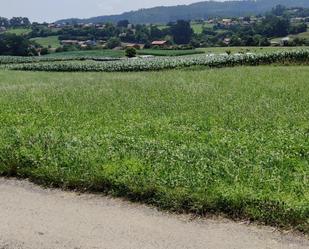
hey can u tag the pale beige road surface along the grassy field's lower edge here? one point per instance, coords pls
(36, 218)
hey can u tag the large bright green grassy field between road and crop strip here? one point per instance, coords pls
(232, 140)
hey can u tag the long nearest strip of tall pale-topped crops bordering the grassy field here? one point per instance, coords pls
(151, 64)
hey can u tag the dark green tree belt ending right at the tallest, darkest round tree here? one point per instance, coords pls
(179, 32)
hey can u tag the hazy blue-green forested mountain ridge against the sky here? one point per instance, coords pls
(199, 10)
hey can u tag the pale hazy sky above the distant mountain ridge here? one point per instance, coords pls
(52, 10)
